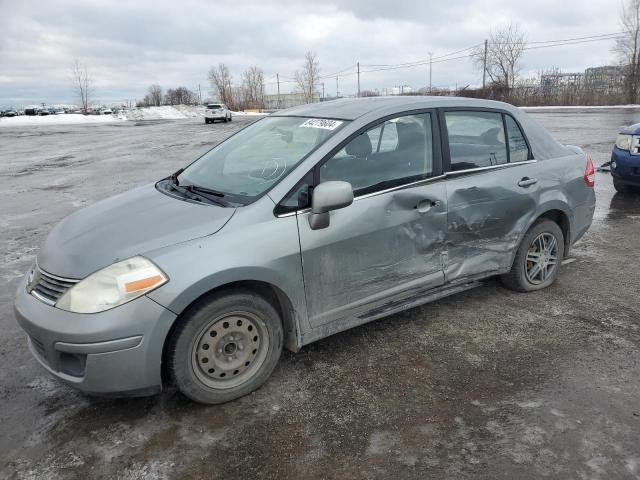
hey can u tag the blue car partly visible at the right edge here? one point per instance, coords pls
(625, 159)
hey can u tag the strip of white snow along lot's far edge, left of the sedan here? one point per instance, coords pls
(151, 113)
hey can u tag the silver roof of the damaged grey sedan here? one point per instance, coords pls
(352, 108)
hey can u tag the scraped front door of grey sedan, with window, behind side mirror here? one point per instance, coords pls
(390, 240)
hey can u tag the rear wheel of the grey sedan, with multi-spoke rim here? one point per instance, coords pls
(538, 258)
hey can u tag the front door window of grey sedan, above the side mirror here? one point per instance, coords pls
(396, 152)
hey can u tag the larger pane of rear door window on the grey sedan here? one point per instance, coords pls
(476, 139)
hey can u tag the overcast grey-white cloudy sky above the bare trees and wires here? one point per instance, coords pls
(129, 45)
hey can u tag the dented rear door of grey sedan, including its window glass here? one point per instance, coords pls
(492, 189)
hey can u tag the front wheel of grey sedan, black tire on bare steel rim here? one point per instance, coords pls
(186, 350)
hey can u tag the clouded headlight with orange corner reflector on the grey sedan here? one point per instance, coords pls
(112, 286)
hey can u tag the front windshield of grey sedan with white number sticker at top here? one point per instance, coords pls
(250, 162)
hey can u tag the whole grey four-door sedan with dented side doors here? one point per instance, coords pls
(303, 224)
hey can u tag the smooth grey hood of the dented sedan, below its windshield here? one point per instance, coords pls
(122, 226)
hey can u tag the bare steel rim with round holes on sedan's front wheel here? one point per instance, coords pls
(229, 350)
